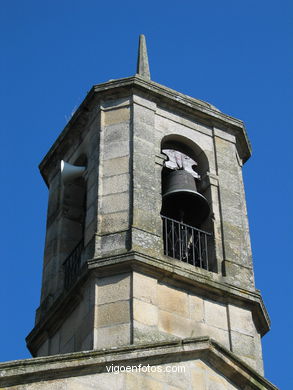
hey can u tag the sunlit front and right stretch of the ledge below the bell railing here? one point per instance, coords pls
(199, 280)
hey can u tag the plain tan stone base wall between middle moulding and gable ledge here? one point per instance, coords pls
(133, 308)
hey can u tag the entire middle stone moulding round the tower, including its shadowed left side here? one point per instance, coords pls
(197, 281)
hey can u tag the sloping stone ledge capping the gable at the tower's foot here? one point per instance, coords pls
(95, 362)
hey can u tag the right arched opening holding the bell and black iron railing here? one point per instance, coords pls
(186, 211)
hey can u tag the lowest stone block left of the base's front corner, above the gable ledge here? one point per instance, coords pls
(112, 336)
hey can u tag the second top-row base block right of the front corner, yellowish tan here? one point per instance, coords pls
(173, 300)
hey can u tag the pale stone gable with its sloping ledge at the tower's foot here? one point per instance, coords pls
(205, 365)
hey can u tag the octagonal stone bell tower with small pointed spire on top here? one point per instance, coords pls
(147, 252)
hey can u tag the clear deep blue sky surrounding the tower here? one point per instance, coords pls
(233, 54)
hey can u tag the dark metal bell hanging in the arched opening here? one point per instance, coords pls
(182, 201)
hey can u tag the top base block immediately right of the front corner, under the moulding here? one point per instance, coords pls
(145, 288)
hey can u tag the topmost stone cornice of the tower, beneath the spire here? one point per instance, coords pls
(136, 84)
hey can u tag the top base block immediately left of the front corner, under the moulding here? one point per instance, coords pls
(113, 288)
